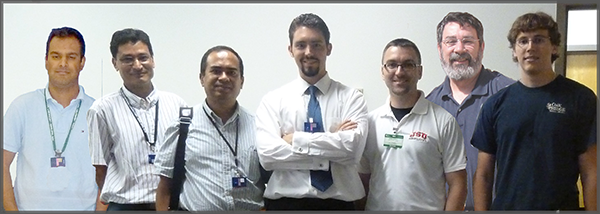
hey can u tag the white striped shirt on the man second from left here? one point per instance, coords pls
(117, 141)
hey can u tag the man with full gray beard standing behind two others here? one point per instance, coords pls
(467, 84)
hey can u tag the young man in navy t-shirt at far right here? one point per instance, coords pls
(539, 132)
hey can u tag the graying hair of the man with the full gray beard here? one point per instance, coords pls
(463, 19)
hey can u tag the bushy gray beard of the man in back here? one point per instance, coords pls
(460, 72)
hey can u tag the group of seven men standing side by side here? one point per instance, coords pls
(478, 141)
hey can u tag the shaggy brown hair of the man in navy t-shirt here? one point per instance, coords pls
(531, 22)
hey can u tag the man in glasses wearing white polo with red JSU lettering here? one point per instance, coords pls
(414, 147)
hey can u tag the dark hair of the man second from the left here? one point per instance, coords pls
(129, 35)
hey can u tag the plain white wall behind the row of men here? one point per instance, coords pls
(181, 33)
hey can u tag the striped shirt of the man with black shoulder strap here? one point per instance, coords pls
(210, 163)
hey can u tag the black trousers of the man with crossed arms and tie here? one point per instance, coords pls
(307, 204)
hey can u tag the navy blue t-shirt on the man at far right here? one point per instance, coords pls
(536, 135)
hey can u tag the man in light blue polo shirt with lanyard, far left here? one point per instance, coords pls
(48, 129)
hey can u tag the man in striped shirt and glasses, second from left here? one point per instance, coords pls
(127, 125)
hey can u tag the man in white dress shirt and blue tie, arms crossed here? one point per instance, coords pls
(313, 153)
